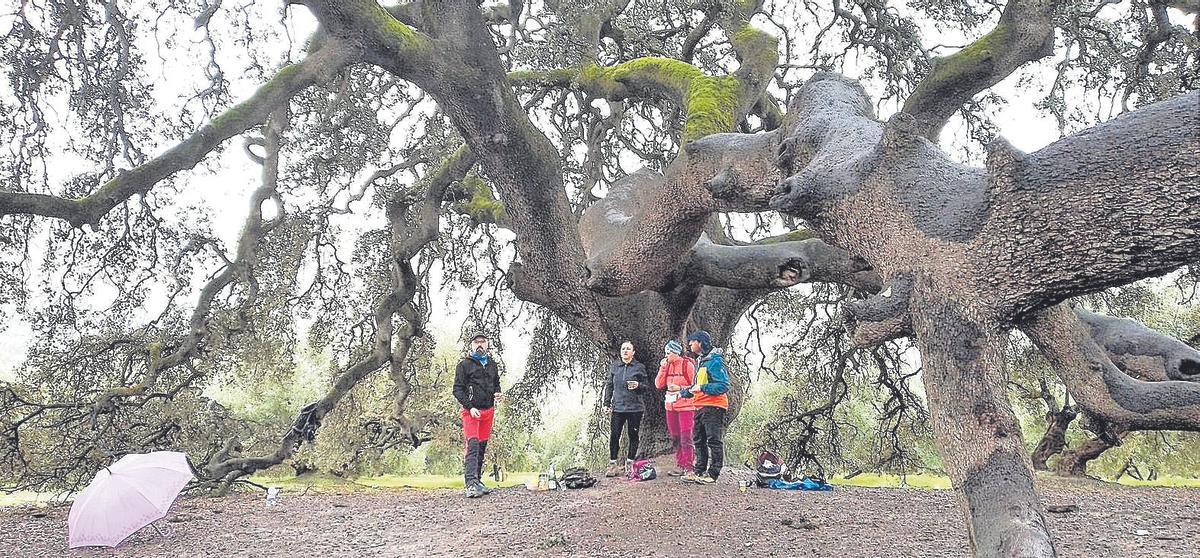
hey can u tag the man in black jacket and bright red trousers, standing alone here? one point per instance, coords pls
(477, 386)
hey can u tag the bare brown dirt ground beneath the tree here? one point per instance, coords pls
(661, 519)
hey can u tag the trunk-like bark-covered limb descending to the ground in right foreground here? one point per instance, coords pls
(977, 433)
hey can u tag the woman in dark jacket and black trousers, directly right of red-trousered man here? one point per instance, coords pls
(623, 403)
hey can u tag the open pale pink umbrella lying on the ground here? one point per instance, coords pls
(125, 497)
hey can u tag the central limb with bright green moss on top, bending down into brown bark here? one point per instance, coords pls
(671, 221)
